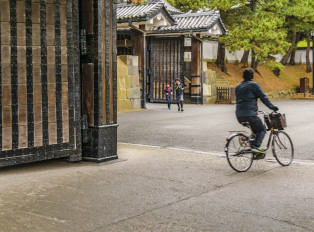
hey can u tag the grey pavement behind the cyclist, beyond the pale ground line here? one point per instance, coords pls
(206, 127)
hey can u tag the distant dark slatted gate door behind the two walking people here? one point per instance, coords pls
(166, 64)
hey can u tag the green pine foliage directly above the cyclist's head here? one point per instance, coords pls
(255, 26)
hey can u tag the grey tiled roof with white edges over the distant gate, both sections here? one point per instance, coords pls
(207, 22)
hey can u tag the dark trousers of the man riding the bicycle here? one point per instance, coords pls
(257, 126)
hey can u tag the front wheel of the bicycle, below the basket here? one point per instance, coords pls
(283, 149)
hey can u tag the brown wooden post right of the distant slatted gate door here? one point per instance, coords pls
(196, 71)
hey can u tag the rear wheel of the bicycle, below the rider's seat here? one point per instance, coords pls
(238, 152)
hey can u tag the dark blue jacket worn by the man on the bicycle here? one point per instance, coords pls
(247, 93)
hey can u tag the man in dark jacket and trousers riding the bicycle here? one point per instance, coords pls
(247, 93)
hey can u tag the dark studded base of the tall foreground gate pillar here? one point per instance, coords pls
(101, 144)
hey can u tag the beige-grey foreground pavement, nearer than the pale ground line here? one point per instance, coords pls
(156, 189)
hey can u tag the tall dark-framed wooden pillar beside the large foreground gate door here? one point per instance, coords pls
(99, 80)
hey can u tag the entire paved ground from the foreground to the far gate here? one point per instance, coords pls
(178, 181)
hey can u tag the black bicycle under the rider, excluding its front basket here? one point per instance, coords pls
(238, 147)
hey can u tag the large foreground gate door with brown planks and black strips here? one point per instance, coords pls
(39, 81)
